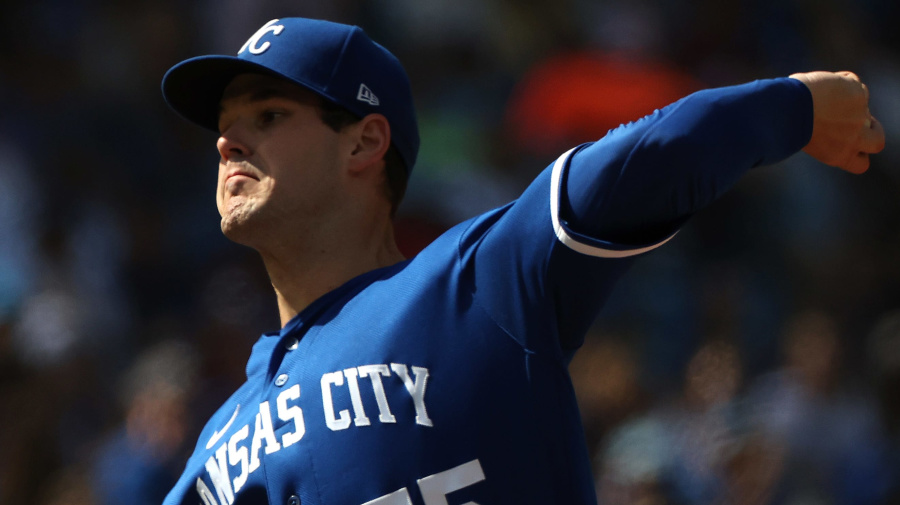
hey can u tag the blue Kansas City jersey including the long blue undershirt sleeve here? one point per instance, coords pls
(443, 379)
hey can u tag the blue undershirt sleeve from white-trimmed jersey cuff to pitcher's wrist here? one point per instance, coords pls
(643, 180)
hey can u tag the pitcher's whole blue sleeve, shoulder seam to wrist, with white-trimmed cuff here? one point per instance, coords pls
(547, 263)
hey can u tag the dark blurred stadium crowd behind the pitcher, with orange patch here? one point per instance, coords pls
(755, 359)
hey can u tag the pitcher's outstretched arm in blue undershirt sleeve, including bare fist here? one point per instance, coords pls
(643, 180)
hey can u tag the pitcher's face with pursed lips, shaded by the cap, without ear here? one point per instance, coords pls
(279, 165)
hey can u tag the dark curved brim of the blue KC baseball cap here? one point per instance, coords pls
(194, 87)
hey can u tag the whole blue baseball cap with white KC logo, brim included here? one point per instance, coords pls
(339, 62)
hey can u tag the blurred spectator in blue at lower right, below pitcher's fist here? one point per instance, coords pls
(828, 427)
